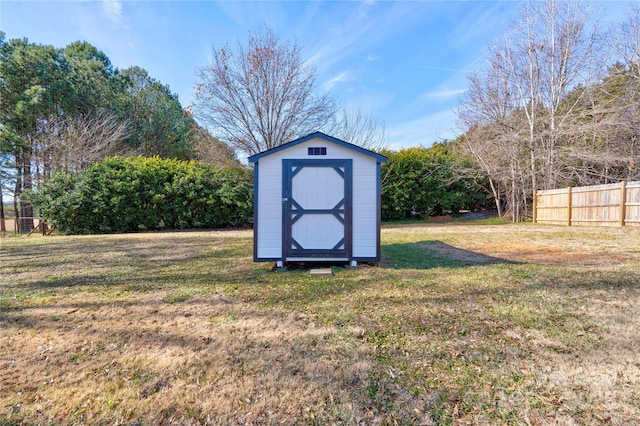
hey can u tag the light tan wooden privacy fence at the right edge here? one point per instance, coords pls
(615, 204)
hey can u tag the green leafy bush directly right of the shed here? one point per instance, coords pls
(420, 182)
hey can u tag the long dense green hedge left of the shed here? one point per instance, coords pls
(137, 193)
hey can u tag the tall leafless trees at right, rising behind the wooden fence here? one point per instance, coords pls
(557, 104)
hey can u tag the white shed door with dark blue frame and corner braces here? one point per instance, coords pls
(317, 209)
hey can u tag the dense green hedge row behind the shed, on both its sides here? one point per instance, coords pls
(135, 194)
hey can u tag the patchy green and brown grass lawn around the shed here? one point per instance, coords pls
(466, 323)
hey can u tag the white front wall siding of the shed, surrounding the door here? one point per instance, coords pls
(269, 221)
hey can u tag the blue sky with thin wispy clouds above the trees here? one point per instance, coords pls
(407, 62)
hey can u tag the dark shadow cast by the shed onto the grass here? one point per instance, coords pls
(433, 254)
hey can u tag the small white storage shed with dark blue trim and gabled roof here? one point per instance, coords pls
(317, 199)
